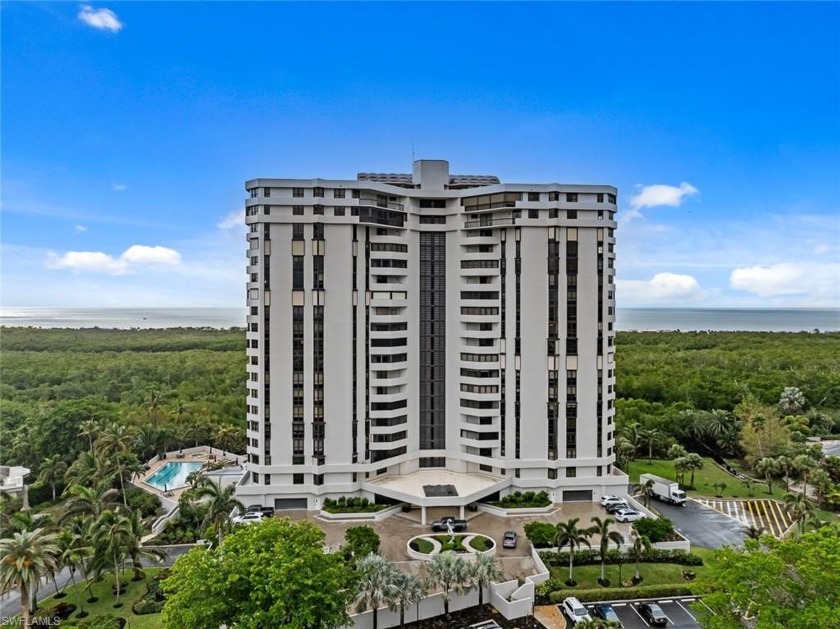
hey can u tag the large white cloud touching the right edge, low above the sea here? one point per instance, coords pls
(819, 282)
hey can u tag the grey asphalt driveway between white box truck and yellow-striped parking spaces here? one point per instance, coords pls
(701, 525)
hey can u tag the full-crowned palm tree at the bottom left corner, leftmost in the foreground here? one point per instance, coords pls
(25, 559)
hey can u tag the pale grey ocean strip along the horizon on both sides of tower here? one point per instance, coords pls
(642, 319)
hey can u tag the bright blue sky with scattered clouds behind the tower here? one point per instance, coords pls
(130, 128)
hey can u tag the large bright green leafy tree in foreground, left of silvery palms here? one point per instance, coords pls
(271, 574)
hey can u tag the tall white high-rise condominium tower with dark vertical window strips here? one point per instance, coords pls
(429, 338)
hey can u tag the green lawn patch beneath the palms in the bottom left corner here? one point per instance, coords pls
(105, 604)
